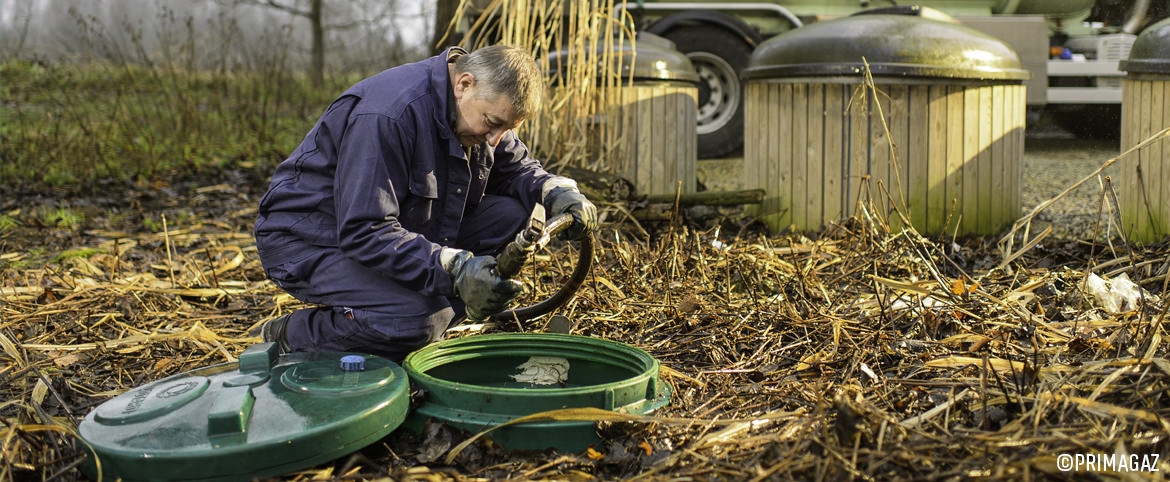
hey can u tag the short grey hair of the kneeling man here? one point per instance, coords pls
(508, 71)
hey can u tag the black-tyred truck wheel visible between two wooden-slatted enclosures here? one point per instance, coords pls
(719, 57)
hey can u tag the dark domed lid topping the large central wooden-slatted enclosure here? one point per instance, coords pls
(900, 43)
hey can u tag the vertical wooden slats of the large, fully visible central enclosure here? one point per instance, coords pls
(946, 156)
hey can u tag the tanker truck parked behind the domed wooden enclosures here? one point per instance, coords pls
(1072, 49)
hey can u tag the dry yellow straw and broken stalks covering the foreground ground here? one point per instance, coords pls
(863, 354)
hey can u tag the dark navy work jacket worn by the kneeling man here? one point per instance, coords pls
(383, 178)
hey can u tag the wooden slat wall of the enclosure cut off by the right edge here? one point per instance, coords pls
(1145, 188)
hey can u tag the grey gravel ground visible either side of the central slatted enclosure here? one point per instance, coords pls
(1054, 161)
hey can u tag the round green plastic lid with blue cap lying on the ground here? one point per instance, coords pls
(265, 416)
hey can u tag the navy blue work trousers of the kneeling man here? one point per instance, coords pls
(364, 312)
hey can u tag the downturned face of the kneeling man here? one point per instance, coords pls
(480, 121)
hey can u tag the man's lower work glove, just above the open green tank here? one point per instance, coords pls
(480, 288)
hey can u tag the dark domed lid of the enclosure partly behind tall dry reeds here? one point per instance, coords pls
(655, 60)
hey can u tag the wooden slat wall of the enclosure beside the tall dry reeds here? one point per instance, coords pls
(650, 136)
